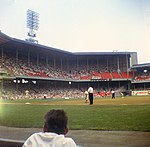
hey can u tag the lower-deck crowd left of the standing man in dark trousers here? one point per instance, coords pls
(11, 91)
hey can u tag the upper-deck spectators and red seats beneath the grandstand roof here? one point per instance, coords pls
(22, 67)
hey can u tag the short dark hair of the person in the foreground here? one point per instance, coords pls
(56, 121)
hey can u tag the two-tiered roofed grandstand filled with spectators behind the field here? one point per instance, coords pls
(30, 70)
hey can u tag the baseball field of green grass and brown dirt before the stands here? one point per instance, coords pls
(129, 113)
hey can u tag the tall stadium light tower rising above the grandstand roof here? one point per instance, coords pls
(32, 25)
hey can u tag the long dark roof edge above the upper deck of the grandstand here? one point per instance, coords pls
(6, 40)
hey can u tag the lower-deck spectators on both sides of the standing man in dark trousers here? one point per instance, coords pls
(23, 91)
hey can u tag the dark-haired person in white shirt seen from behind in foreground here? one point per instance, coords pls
(55, 127)
